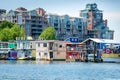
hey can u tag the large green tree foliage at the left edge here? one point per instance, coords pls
(9, 31)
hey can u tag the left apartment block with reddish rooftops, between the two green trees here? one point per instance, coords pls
(33, 21)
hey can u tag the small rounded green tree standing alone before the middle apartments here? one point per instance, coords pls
(49, 34)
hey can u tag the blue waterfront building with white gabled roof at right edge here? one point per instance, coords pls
(102, 48)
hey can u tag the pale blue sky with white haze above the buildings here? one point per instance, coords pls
(110, 8)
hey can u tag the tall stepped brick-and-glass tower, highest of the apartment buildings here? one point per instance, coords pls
(96, 25)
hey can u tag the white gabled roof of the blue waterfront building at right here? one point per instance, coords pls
(102, 40)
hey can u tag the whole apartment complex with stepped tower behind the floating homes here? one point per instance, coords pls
(90, 24)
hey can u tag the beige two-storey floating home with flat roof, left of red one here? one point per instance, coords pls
(50, 50)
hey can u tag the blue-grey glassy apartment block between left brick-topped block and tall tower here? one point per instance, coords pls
(66, 26)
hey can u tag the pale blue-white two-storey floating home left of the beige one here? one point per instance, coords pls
(25, 48)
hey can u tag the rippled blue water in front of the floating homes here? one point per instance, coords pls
(44, 70)
